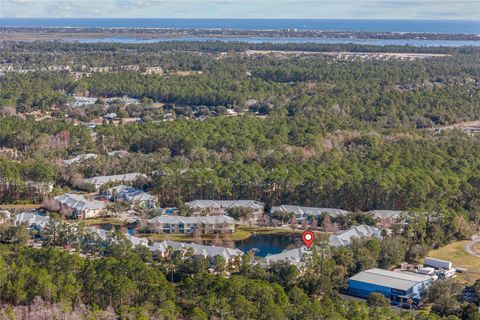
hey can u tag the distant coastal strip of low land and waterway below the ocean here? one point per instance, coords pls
(152, 34)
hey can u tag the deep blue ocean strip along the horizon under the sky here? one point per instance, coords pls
(429, 26)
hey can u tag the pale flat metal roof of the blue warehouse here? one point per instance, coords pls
(391, 279)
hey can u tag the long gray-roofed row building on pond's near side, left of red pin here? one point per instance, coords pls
(230, 255)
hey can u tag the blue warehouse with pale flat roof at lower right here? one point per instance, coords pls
(399, 287)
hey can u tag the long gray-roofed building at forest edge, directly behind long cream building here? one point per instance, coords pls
(220, 207)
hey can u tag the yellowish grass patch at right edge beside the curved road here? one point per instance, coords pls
(456, 253)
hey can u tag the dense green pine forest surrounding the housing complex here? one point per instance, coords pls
(314, 130)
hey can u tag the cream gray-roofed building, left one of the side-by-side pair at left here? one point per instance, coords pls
(81, 207)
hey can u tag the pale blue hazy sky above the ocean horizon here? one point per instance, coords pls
(307, 9)
